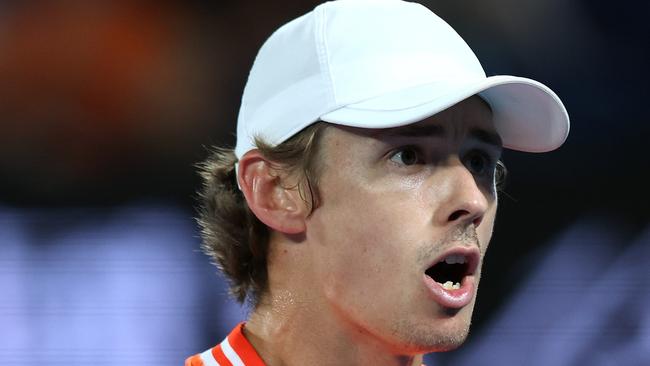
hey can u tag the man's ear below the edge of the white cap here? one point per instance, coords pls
(275, 202)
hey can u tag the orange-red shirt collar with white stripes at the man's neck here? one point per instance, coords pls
(234, 350)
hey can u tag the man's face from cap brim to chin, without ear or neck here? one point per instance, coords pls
(394, 203)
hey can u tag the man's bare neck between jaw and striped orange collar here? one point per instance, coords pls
(288, 329)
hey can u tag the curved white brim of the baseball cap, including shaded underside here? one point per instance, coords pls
(527, 115)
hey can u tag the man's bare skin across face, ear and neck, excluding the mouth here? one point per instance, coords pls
(348, 276)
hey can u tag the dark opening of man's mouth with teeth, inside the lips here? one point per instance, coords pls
(450, 271)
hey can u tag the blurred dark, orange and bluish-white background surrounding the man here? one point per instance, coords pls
(105, 106)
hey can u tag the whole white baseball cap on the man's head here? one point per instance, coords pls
(380, 64)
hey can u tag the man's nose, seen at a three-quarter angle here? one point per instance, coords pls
(461, 200)
